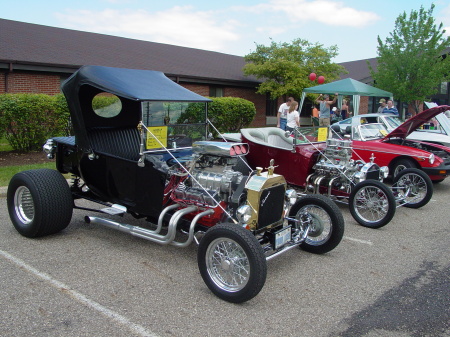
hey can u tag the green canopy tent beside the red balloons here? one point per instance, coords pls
(347, 86)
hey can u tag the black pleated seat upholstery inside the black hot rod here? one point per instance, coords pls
(118, 142)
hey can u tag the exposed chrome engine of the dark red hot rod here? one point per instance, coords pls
(335, 170)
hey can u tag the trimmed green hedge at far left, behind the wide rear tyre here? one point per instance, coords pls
(28, 120)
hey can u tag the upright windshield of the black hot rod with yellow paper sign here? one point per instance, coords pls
(173, 124)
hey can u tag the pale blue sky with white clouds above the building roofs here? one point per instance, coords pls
(232, 26)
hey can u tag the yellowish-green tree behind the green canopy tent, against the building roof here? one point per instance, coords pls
(285, 67)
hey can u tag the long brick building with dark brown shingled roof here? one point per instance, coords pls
(36, 59)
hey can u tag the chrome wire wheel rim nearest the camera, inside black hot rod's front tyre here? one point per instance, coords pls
(227, 264)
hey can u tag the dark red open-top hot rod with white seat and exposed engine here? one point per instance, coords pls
(316, 160)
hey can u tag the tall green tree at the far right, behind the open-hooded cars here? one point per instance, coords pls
(412, 61)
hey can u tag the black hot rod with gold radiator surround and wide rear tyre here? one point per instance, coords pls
(137, 149)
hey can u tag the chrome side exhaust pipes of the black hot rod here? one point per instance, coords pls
(153, 235)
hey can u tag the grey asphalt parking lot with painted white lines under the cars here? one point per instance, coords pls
(93, 281)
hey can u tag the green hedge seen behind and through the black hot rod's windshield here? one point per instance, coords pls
(228, 114)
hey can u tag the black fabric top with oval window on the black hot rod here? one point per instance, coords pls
(132, 86)
